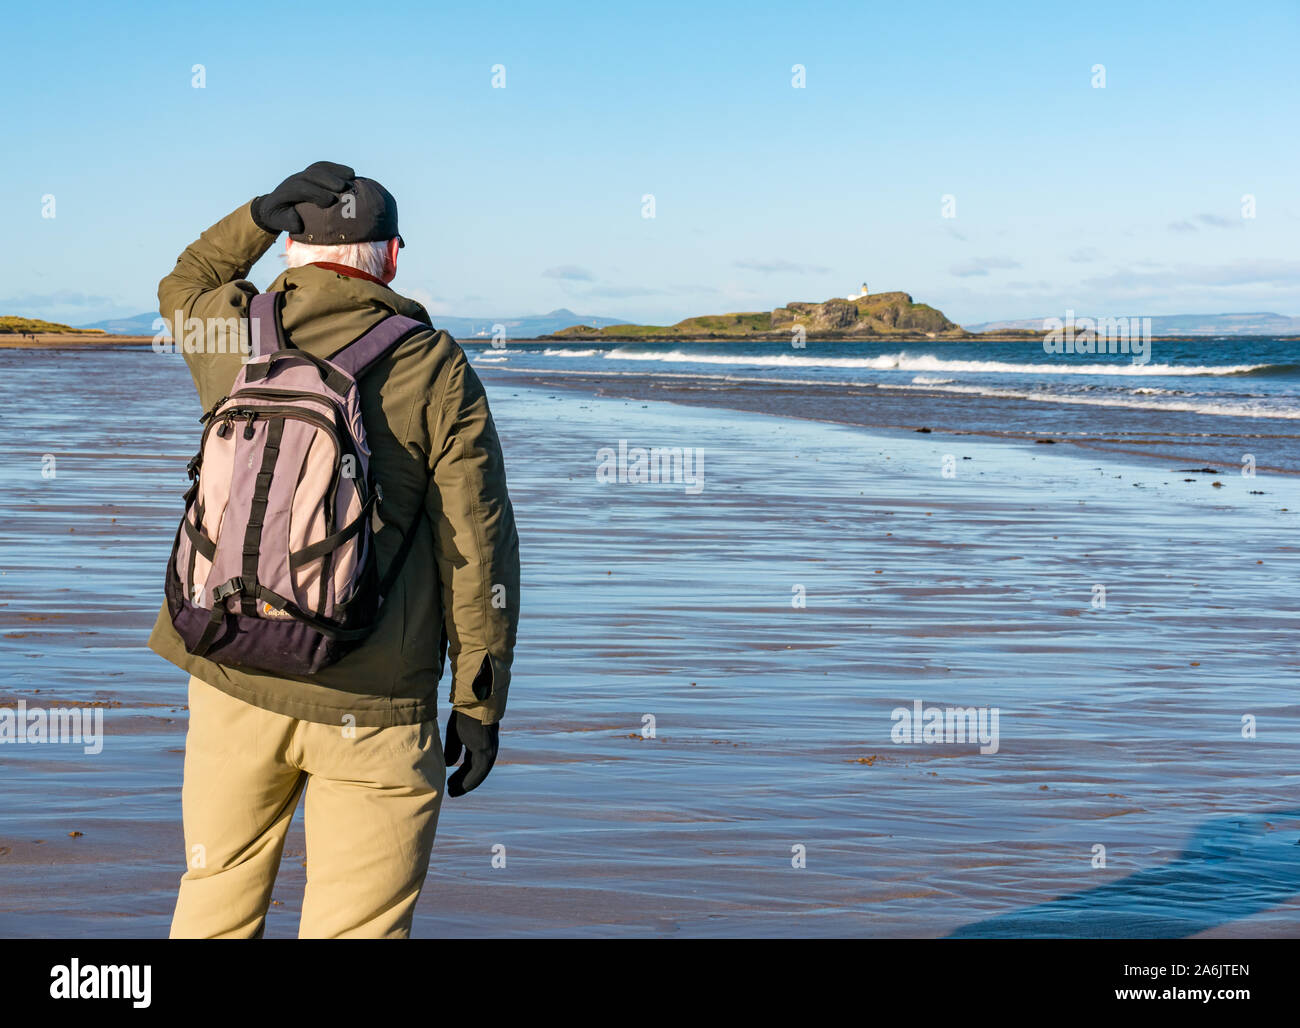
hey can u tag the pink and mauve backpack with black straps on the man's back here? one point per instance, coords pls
(274, 567)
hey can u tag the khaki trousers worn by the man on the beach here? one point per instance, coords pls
(372, 808)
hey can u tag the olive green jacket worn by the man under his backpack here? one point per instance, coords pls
(436, 454)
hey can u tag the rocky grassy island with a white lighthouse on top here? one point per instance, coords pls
(863, 318)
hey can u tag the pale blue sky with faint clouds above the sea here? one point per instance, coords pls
(1125, 199)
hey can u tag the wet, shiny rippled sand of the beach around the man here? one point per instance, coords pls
(1119, 727)
